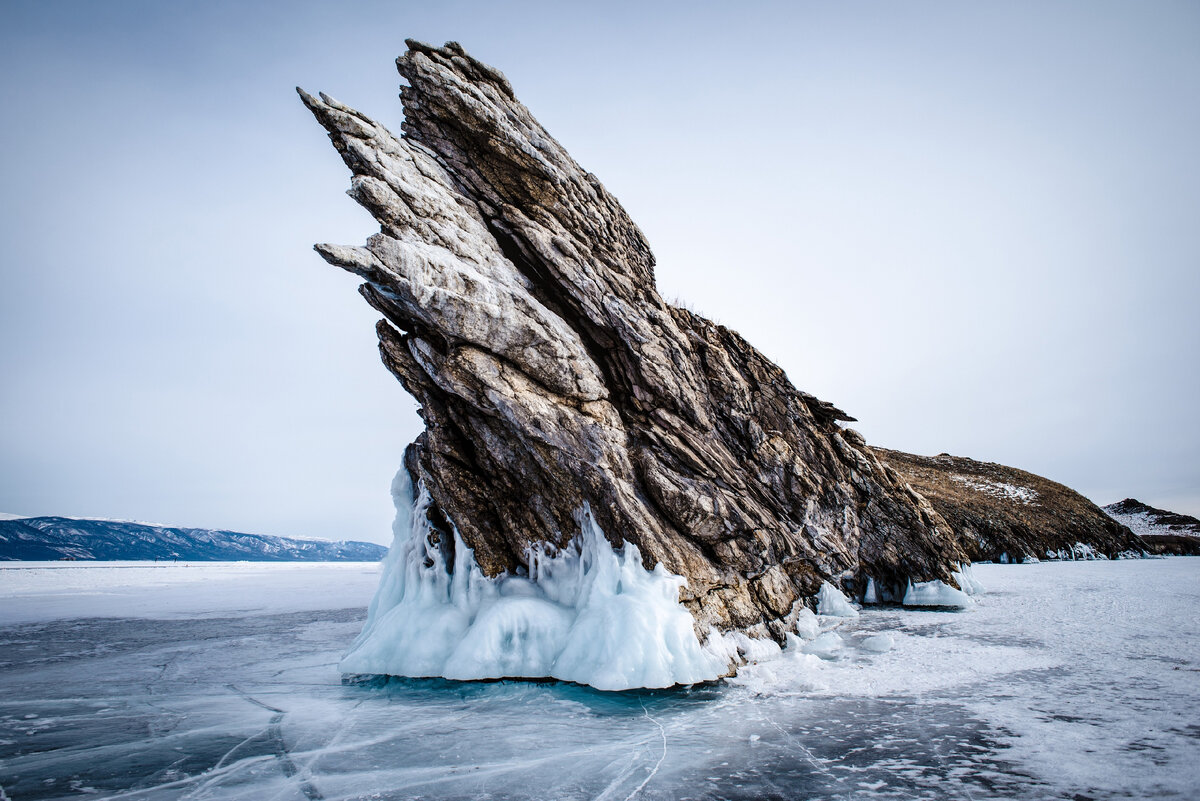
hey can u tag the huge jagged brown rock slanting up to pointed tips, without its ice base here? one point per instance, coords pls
(520, 310)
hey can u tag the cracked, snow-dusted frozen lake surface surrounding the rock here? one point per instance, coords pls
(1069, 680)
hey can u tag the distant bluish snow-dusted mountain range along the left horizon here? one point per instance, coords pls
(49, 539)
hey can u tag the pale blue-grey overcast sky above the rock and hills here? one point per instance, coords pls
(975, 227)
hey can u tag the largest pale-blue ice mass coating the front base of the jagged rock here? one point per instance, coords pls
(587, 615)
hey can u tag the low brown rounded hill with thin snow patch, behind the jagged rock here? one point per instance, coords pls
(1005, 513)
